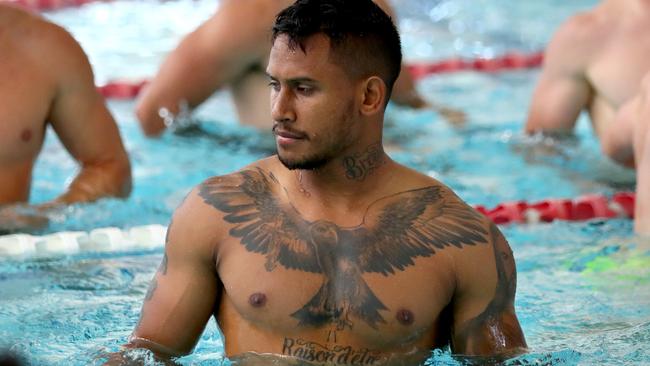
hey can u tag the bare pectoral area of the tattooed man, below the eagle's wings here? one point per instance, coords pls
(341, 302)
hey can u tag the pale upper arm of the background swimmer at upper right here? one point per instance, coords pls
(563, 89)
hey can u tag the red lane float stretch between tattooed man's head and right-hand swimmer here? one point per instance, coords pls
(509, 61)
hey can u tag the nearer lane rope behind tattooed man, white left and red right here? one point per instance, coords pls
(113, 239)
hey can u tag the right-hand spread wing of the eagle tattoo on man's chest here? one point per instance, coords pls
(415, 224)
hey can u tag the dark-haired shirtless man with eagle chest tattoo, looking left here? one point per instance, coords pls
(330, 252)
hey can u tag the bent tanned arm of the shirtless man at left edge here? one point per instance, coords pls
(85, 127)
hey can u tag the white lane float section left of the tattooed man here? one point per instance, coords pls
(108, 239)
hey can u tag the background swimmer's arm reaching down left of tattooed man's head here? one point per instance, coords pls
(213, 56)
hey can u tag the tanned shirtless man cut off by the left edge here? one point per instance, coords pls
(45, 79)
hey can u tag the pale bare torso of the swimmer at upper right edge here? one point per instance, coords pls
(619, 33)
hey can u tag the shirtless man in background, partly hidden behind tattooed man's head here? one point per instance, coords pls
(231, 50)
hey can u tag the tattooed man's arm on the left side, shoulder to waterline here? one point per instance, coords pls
(184, 291)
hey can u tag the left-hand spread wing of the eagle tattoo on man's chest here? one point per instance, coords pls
(263, 226)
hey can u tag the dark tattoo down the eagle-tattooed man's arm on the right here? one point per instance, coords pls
(496, 328)
